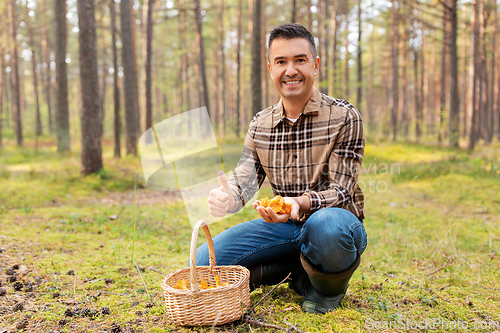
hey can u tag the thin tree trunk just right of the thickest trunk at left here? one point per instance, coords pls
(116, 91)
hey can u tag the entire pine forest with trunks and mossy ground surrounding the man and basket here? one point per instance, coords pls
(80, 81)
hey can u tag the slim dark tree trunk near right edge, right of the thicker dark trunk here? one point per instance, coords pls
(475, 74)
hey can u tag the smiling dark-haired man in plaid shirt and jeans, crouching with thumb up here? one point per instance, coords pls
(310, 147)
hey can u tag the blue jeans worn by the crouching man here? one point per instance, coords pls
(330, 238)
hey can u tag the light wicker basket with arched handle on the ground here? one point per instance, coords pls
(195, 307)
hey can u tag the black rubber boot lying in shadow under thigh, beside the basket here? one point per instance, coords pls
(271, 273)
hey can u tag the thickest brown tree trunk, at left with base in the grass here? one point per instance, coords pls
(91, 123)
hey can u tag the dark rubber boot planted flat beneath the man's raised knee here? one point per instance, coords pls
(328, 289)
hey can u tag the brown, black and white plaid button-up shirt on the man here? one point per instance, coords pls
(319, 155)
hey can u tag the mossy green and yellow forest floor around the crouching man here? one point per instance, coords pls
(432, 261)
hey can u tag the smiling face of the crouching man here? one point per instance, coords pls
(293, 68)
